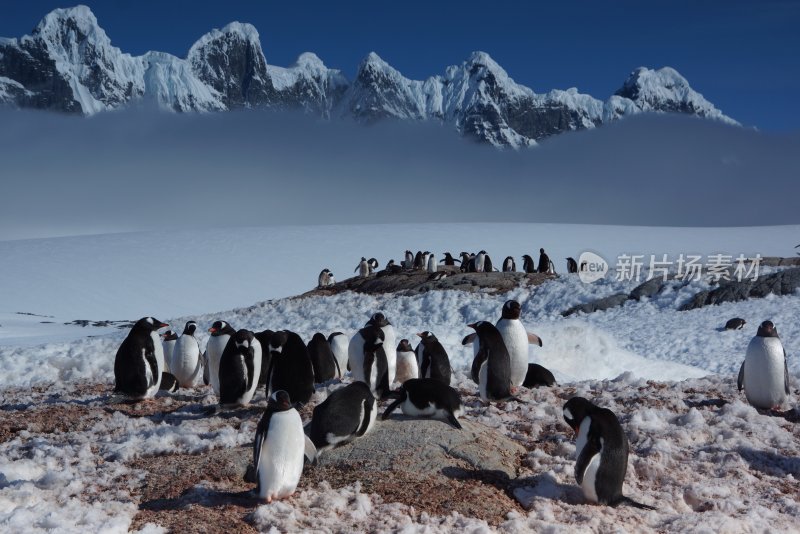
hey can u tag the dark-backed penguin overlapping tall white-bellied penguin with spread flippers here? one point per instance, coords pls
(491, 368)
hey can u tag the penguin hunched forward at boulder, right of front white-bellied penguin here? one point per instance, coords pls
(347, 413)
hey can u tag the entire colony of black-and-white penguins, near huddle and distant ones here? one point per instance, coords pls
(236, 363)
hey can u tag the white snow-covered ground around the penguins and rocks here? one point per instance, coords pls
(48, 481)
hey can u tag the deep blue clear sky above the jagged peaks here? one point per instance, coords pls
(743, 56)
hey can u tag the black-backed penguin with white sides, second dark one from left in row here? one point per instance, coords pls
(239, 369)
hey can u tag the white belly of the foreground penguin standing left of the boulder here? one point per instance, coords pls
(281, 461)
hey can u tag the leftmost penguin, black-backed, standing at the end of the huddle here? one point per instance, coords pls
(140, 360)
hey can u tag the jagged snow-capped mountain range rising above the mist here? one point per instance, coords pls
(69, 64)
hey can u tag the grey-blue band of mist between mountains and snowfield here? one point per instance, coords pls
(145, 170)
